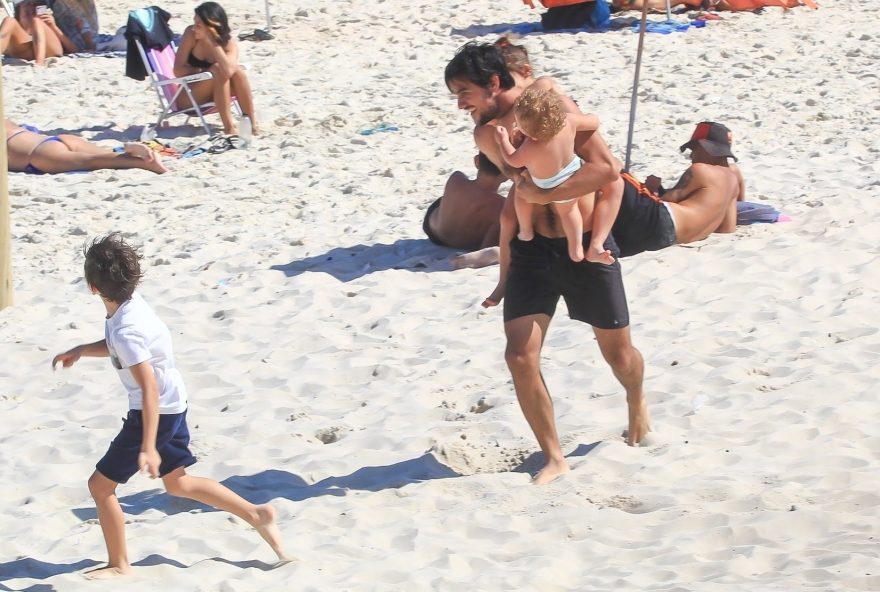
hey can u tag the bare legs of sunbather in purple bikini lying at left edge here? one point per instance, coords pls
(58, 157)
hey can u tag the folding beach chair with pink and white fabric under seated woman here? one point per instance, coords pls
(159, 64)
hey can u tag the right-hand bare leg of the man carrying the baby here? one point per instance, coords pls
(629, 368)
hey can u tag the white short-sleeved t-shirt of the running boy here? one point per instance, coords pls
(135, 334)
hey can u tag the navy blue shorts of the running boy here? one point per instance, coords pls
(172, 442)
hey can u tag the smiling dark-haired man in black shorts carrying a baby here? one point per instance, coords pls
(536, 273)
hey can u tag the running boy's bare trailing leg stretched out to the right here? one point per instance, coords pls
(212, 493)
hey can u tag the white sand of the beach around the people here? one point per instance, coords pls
(290, 277)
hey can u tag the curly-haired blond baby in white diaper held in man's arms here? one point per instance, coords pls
(548, 153)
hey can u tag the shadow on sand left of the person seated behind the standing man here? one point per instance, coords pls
(350, 263)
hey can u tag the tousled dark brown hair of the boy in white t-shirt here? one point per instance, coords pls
(113, 267)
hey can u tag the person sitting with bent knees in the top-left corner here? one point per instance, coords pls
(28, 36)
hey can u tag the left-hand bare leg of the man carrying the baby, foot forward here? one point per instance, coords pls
(525, 337)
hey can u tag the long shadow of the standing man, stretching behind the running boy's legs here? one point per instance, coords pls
(272, 483)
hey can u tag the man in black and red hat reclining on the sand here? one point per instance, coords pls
(703, 200)
